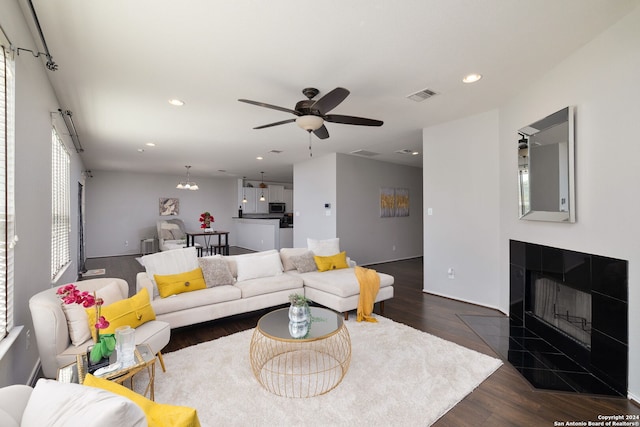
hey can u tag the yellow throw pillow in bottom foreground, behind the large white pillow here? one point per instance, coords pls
(158, 414)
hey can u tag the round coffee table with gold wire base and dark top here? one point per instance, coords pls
(300, 367)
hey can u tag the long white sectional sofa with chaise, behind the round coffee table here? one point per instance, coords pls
(276, 279)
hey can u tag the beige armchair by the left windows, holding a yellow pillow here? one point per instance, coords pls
(52, 331)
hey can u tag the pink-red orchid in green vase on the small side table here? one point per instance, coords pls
(105, 343)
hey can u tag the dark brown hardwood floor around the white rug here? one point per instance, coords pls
(504, 399)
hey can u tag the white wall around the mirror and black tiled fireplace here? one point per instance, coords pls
(601, 81)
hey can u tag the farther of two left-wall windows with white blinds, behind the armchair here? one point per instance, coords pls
(60, 221)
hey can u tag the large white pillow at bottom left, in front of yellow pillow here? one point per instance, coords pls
(56, 404)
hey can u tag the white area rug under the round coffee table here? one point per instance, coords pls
(398, 376)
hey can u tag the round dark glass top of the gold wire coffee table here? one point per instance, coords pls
(323, 323)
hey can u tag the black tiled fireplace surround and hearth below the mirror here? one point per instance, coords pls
(568, 328)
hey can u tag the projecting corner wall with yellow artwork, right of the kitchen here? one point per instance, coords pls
(351, 185)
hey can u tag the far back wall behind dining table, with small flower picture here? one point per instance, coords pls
(124, 207)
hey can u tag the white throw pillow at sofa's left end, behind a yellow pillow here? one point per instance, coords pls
(175, 261)
